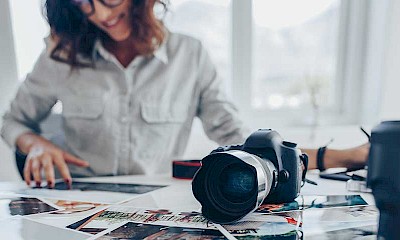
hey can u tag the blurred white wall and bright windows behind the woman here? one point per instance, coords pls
(311, 69)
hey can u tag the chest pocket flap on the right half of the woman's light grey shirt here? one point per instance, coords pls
(159, 114)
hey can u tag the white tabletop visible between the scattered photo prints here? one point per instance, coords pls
(177, 195)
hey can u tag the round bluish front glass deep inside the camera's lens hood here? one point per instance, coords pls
(237, 182)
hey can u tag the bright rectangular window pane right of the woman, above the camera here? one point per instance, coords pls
(294, 53)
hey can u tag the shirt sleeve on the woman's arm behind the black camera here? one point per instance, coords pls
(218, 114)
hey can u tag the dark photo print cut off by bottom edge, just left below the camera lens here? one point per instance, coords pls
(132, 230)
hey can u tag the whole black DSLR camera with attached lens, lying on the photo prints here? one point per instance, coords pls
(235, 180)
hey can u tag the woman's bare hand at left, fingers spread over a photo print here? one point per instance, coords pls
(43, 155)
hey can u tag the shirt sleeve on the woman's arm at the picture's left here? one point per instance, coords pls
(33, 101)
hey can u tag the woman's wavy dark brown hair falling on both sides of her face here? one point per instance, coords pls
(74, 34)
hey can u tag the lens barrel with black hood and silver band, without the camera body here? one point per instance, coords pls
(231, 184)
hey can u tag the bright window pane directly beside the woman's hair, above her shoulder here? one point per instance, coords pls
(208, 21)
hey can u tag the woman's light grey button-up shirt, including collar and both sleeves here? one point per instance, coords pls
(131, 120)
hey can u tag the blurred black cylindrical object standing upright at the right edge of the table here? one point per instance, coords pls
(384, 176)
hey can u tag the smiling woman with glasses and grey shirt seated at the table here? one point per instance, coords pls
(130, 91)
